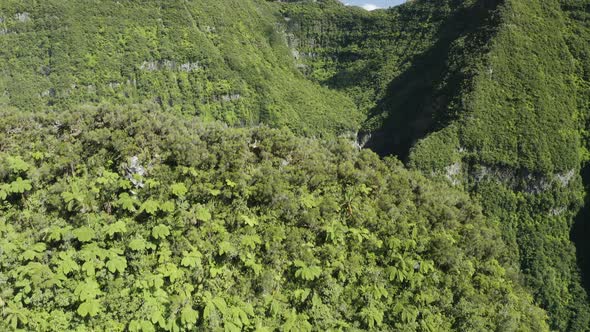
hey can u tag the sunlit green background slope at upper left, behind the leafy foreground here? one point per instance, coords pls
(217, 59)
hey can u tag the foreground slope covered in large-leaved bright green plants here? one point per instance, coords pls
(130, 219)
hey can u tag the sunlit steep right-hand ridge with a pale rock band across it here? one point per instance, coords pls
(518, 148)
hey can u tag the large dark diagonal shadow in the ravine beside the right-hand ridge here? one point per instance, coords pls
(418, 101)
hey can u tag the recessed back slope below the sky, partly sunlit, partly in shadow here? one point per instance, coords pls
(405, 67)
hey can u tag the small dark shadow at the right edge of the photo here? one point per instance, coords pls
(581, 234)
